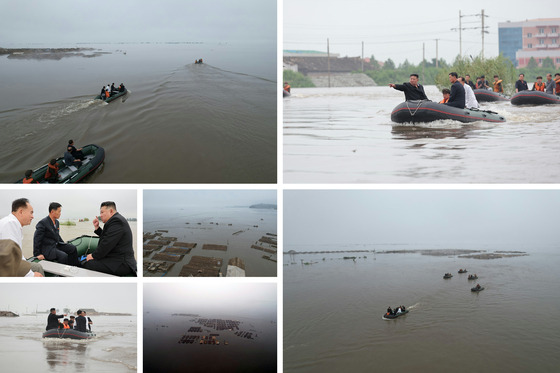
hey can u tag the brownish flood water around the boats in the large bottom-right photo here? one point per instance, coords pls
(333, 312)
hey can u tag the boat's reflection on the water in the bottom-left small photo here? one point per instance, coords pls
(69, 355)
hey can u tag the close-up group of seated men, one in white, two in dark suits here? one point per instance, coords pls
(114, 253)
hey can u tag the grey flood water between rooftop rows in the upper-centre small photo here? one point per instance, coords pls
(236, 227)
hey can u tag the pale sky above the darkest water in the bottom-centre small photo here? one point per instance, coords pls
(213, 298)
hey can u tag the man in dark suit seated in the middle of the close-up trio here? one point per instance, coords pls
(47, 243)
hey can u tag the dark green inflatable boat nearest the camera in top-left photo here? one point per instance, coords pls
(94, 157)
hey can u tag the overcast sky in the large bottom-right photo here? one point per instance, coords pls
(421, 216)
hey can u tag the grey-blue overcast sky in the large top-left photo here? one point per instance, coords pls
(70, 21)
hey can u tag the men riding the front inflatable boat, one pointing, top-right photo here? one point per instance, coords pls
(460, 95)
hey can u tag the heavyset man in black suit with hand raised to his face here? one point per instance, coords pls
(114, 254)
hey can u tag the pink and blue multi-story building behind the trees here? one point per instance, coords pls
(536, 38)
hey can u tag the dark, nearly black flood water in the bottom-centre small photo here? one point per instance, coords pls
(163, 353)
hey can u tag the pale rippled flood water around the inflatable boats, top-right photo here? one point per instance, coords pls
(345, 135)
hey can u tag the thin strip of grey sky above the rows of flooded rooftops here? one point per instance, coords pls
(157, 199)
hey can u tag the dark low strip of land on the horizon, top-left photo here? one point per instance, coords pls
(49, 53)
